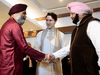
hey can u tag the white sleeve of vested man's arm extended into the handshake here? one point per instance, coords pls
(62, 52)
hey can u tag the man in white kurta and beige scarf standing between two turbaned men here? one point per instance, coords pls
(48, 47)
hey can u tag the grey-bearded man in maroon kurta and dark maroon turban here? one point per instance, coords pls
(13, 43)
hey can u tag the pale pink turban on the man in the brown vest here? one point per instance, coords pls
(78, 7)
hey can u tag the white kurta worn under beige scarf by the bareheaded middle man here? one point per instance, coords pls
(48, 46)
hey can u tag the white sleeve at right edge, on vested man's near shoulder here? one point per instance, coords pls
(93, 32)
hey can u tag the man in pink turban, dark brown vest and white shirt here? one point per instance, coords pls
(85, 41)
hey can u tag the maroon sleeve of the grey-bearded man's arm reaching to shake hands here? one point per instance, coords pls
(18, 36)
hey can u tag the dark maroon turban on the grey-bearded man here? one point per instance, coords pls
(17, 8)
